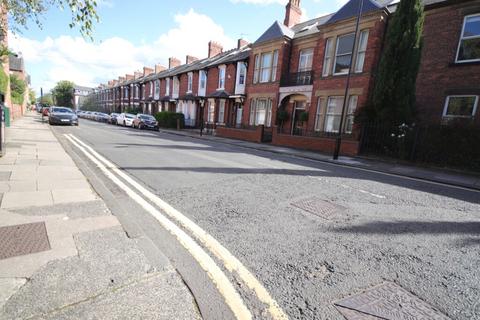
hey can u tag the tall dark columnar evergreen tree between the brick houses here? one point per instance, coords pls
(394, 92)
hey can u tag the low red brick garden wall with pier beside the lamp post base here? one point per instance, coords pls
(325, 145)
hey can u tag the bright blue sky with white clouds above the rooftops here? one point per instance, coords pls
(134, 34)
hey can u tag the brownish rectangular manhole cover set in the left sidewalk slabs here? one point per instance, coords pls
(23, 239)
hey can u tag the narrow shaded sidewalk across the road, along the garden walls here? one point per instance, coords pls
(436, 175)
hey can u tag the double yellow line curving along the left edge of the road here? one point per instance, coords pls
(218, 277)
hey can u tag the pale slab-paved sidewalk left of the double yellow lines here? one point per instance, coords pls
(63, 255)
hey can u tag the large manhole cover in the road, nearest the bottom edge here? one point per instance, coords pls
(387, 301)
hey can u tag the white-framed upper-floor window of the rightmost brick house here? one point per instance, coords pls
(469, 46)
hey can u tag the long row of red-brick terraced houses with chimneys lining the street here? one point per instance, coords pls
(288, 86)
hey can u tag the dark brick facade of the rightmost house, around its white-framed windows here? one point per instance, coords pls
(439, 75)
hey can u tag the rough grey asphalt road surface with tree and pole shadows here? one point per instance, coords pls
(423, 237)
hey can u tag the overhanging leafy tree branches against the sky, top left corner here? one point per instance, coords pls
(84, 13)
